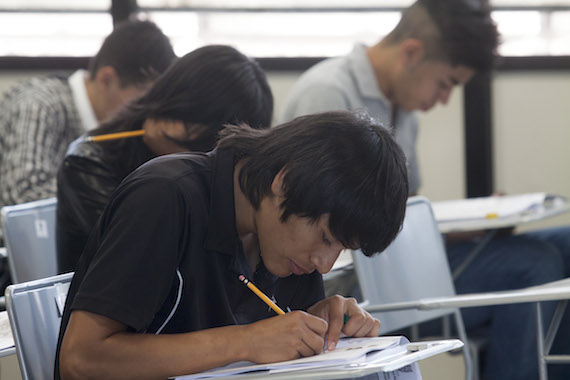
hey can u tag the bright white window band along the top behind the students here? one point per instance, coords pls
(261, 28)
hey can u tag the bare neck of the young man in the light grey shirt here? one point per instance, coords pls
(381, 57)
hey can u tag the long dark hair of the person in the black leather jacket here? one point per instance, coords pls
(211, 86)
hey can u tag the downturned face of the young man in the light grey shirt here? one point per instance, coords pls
(423, 85)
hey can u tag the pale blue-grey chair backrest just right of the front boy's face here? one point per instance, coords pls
(413, 267)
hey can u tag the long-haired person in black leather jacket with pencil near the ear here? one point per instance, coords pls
(182, 111)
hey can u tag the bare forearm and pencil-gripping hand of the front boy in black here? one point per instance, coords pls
(97, 347)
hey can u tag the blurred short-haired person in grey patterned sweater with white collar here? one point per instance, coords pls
(41, 116)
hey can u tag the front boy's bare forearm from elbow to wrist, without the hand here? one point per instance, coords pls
(147, 356)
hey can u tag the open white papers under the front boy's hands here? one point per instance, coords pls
(389, 353)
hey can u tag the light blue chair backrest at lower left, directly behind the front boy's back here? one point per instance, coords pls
(35, 309)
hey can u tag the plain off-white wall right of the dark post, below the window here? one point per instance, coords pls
(532, 134)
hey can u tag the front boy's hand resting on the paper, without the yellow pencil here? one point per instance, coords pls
(333, 310)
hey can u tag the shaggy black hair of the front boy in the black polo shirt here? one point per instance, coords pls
(339, 163)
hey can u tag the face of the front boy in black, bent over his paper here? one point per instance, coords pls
(295, 246)
